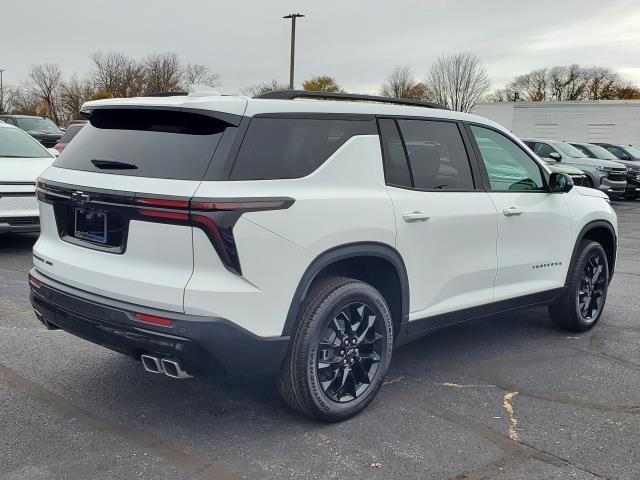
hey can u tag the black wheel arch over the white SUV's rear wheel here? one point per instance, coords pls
(361, 261)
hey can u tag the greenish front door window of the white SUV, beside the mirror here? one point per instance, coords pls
(508, 166)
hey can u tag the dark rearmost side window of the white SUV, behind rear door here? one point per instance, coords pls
(276, 148)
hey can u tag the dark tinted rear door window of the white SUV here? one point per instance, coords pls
(437, 157)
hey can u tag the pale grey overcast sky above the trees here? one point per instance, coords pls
(357, 42)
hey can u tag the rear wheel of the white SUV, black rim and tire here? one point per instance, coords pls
(325, 375)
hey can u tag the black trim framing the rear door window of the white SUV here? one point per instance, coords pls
(476, 174)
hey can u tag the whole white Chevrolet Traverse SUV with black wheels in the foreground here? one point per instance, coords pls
(310, 238)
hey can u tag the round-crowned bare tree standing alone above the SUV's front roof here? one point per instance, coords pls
(458, 81)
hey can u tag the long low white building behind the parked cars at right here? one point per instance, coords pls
(614, 121)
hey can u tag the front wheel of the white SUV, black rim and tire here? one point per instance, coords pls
(582, 302)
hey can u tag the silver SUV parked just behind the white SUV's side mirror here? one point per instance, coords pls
(605, 175)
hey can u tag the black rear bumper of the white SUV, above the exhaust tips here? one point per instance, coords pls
(199, 343)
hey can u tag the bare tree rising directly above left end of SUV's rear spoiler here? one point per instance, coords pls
(117, 74)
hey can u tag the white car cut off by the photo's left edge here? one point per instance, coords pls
(22, 160)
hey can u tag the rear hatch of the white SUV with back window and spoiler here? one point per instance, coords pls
(109, 223)
